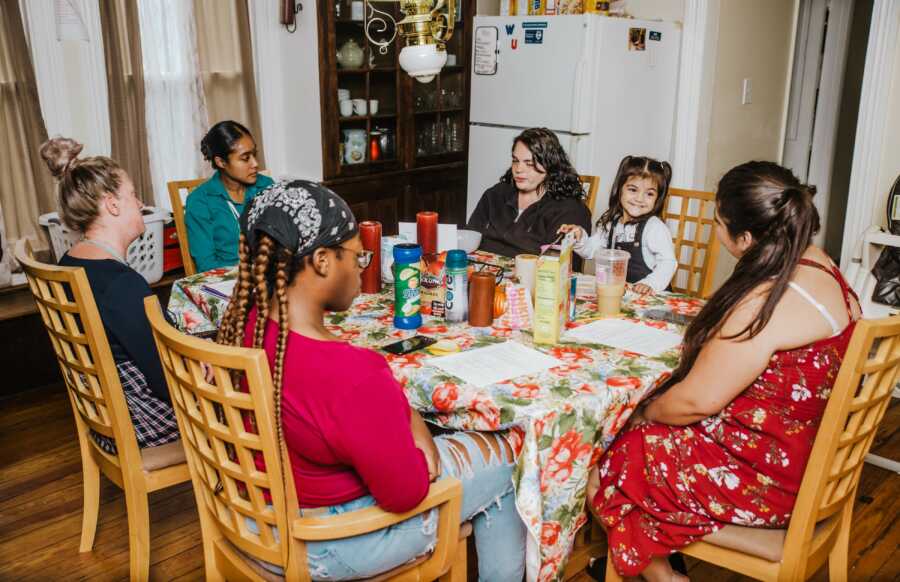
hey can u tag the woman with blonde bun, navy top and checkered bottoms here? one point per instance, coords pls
(97, 198)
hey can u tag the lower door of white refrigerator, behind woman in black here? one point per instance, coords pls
(490, 153)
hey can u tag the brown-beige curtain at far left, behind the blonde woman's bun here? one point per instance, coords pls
(26, 187)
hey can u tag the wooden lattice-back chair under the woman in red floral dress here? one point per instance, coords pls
(819, 530)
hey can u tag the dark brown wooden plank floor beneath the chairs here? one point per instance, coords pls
(40, 508)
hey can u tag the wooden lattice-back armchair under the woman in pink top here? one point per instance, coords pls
(229, 487)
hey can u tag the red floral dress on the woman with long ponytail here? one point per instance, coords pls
(663, 487)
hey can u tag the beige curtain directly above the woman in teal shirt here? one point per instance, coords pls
(226, 63)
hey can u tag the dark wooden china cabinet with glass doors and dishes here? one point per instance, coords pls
(421, 130)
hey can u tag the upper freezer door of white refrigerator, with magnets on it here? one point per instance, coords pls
(537, 71)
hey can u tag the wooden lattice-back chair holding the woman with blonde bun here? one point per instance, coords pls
(66, 304)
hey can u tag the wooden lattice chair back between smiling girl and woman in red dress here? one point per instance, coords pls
(692, 213)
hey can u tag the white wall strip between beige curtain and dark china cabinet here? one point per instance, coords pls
(287, 84)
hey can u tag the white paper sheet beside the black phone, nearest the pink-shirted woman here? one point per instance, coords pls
(485, 366)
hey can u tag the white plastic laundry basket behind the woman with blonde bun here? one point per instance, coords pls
(145, 255)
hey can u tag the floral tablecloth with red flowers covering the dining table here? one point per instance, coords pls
(559, 421)
